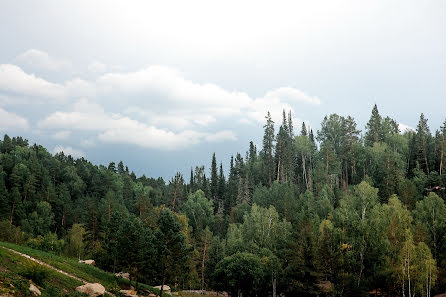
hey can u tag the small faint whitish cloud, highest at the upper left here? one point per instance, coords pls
(42, 60)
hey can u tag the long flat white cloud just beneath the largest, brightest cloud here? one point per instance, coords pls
(116, 128)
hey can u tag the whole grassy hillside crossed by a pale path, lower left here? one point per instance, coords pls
(16, 272)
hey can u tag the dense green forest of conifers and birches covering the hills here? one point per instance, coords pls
(333, 212)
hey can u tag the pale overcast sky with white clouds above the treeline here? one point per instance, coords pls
(161, 85)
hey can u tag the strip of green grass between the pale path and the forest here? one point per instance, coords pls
(70, 265)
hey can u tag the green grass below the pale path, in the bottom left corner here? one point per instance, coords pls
(16, 271)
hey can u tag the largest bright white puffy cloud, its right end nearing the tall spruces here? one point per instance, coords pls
(151, 89)
